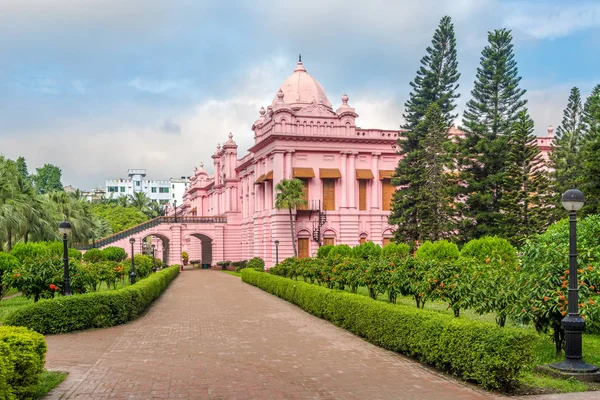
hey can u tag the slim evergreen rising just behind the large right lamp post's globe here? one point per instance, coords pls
(565, 158)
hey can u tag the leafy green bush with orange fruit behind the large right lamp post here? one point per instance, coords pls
(543, 279)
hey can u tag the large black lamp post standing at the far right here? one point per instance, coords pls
(573, 324)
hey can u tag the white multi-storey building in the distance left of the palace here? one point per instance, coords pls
(163, 191)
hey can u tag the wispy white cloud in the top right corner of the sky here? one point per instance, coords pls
(542, 20)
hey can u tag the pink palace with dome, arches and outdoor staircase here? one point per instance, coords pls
(231, 215)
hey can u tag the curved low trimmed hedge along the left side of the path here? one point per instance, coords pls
(93, 310)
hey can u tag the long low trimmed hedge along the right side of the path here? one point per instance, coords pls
(472, 350)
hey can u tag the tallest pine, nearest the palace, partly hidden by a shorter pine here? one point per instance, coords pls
(436, 82)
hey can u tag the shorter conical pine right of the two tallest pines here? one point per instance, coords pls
(524, 204)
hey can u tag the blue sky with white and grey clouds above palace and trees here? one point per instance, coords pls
(100, 86)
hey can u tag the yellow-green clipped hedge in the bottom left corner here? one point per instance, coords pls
(22, 355)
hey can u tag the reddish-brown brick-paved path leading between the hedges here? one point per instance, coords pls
(210, 336)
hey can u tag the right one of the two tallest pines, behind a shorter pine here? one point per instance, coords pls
(495, 104)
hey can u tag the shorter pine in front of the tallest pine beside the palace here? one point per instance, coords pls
(424, 207)
